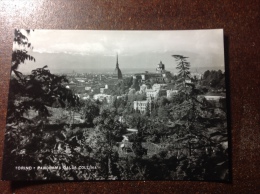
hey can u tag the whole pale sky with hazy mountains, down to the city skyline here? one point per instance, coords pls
(81, 50)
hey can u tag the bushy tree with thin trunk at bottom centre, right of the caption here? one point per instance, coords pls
(107, 132)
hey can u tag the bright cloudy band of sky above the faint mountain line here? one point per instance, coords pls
(124, 42)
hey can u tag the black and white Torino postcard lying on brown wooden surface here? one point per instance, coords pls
(117, 105)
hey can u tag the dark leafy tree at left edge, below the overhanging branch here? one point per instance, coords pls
(37, 91)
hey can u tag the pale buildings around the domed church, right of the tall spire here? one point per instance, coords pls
(164, 86)
